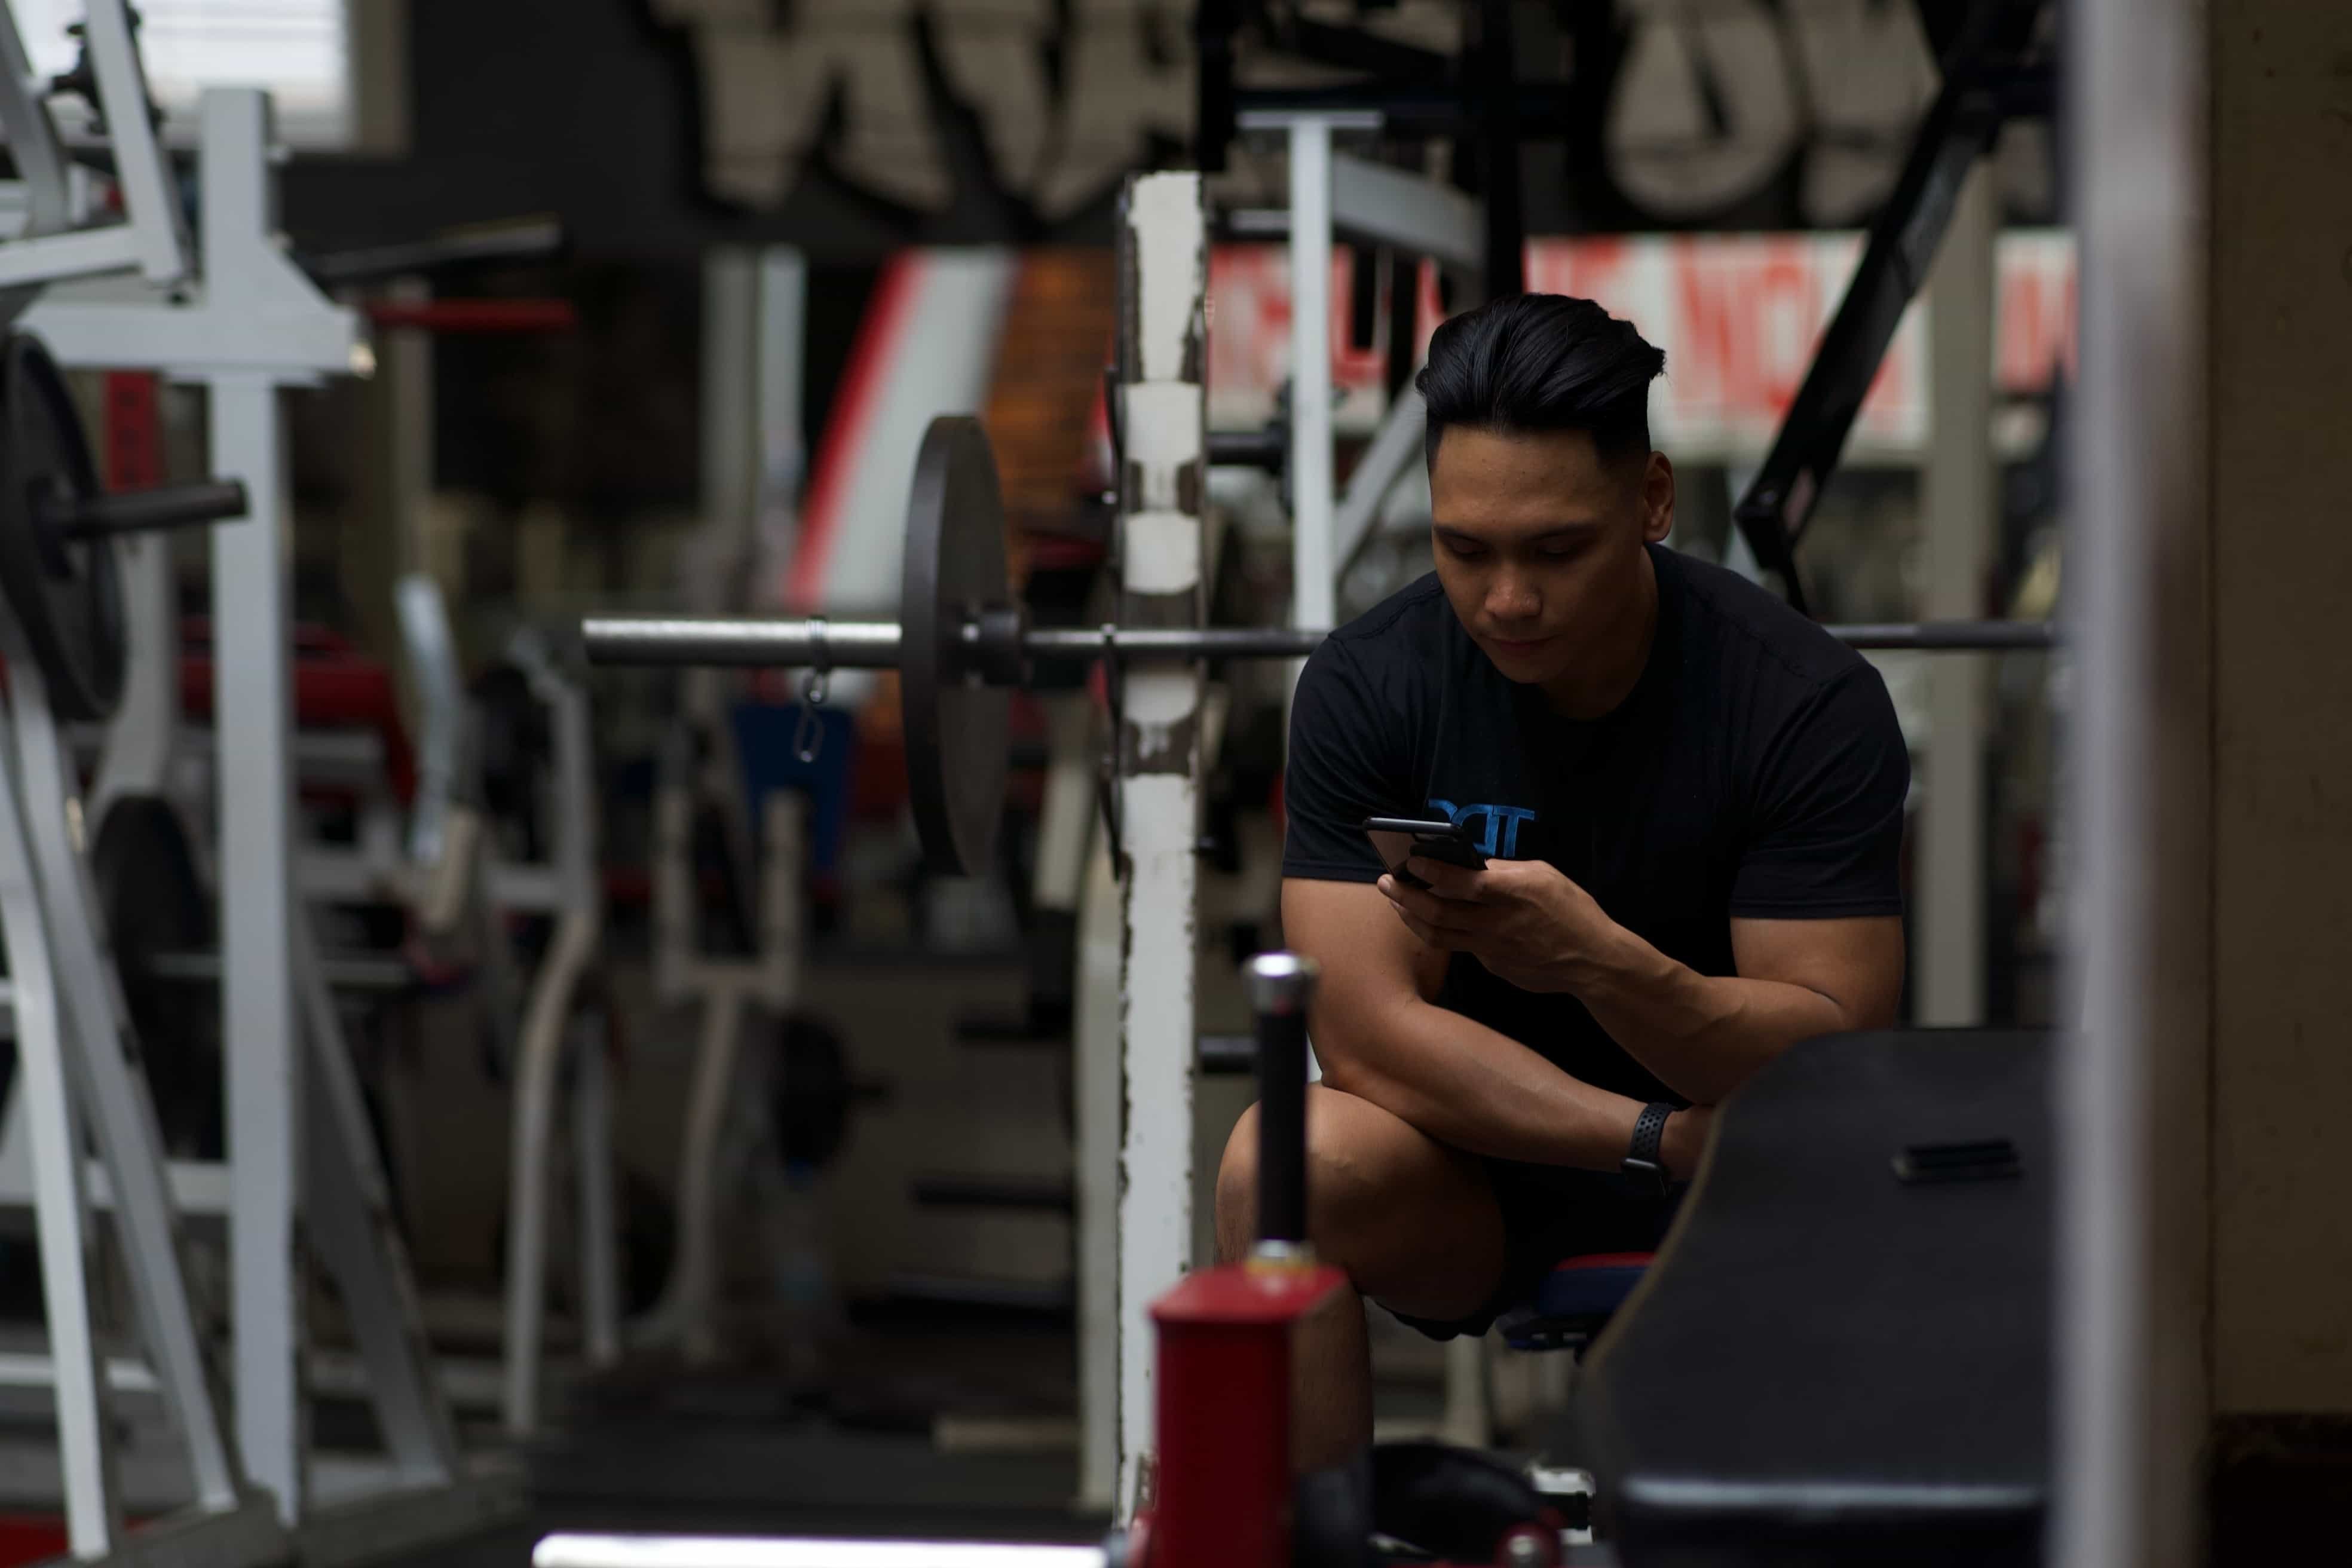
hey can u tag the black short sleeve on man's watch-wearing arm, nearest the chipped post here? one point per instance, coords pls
(1344, 768)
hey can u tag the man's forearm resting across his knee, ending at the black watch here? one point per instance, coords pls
(1478, 1090)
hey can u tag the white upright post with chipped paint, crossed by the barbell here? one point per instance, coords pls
(1165, 250)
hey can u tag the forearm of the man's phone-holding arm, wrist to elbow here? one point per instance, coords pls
(1702, 1036)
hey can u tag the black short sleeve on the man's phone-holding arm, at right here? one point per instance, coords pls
(1829, 810)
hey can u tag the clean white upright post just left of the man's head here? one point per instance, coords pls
(1314, 572)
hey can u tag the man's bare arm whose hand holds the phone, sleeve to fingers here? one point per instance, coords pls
(1704, 1036)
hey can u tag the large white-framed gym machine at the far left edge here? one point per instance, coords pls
(243, 323)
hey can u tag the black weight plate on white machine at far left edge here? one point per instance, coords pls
(67, 596)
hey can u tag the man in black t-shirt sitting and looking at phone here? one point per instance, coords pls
(1692, 808)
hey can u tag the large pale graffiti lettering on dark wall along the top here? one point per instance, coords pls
(1784, 114)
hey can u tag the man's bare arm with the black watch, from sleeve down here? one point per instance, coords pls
(1379, 1038)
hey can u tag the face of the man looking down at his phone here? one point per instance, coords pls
(1539, 544)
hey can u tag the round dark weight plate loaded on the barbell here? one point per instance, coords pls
(958, 732)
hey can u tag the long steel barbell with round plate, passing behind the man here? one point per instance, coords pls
(963, 643)
